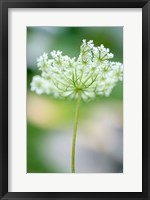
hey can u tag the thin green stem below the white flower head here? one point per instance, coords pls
(75, 133)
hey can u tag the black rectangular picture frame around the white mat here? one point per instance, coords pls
(4, 6)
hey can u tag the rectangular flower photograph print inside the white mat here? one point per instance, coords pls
(74, 99)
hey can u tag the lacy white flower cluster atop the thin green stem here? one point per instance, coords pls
(91, 74)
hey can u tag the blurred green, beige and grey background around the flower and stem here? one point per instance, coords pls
(50, 121)
